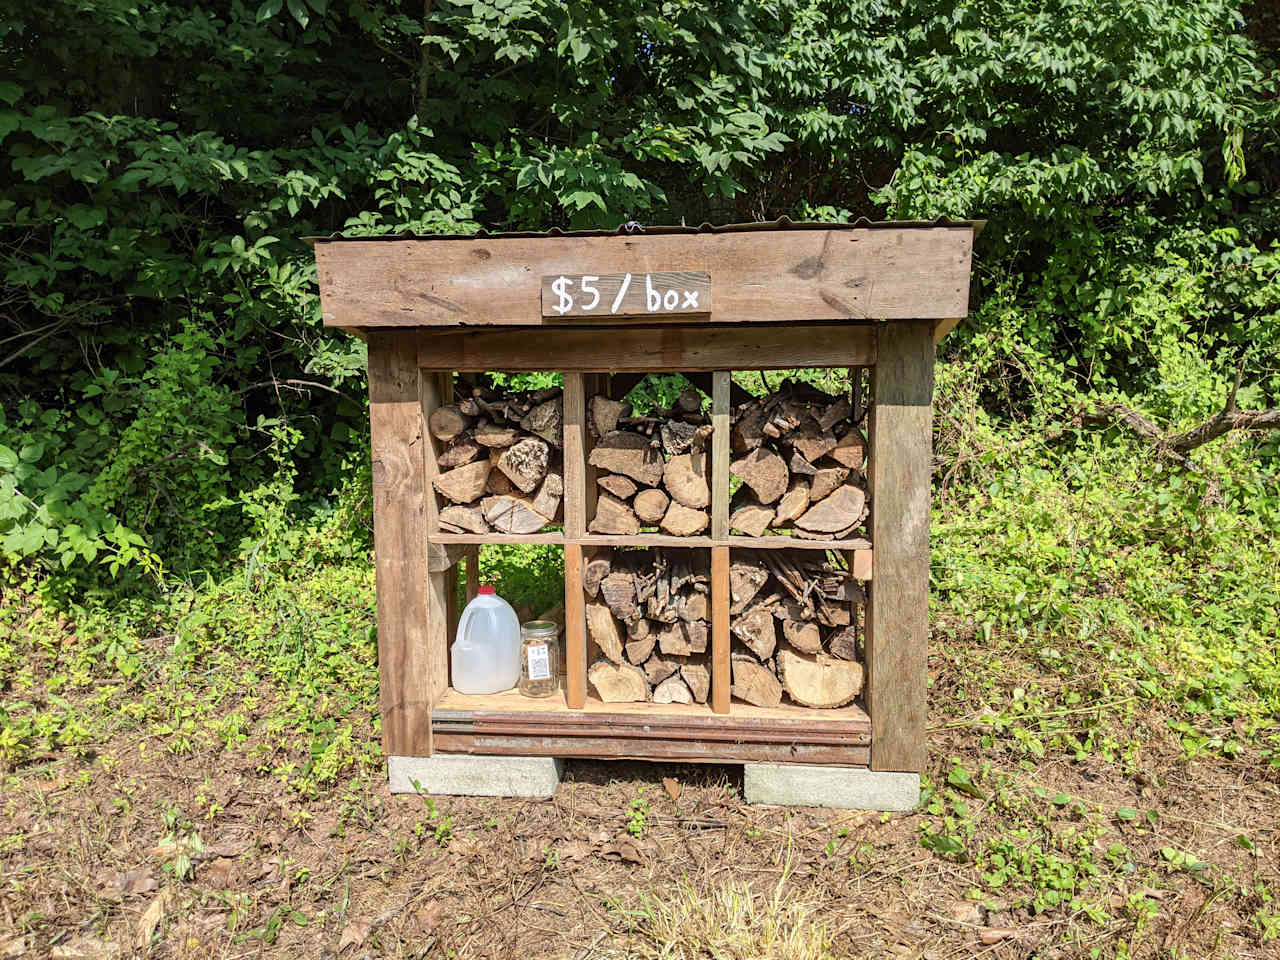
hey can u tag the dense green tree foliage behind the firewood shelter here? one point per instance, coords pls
(171, 399)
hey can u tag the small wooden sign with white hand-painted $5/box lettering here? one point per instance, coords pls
(627, 295)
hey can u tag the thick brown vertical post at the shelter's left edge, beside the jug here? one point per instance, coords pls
(400, 545)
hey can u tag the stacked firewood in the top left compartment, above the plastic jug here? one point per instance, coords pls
(500, 461)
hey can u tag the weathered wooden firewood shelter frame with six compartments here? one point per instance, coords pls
(874, 298)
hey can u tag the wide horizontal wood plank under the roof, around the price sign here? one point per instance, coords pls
(761, 277)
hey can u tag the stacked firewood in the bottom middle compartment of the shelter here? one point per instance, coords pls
(648, 614)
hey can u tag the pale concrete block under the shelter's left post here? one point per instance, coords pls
(465, 775)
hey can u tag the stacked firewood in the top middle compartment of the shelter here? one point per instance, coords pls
(652, 470)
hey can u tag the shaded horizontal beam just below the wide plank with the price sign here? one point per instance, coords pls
(652, 350)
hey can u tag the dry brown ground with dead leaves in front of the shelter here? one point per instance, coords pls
(131, 851)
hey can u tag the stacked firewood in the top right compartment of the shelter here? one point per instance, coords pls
(801, 456)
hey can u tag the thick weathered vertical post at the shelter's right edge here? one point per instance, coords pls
(898, 616)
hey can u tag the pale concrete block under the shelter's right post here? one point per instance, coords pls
(845, 788)
